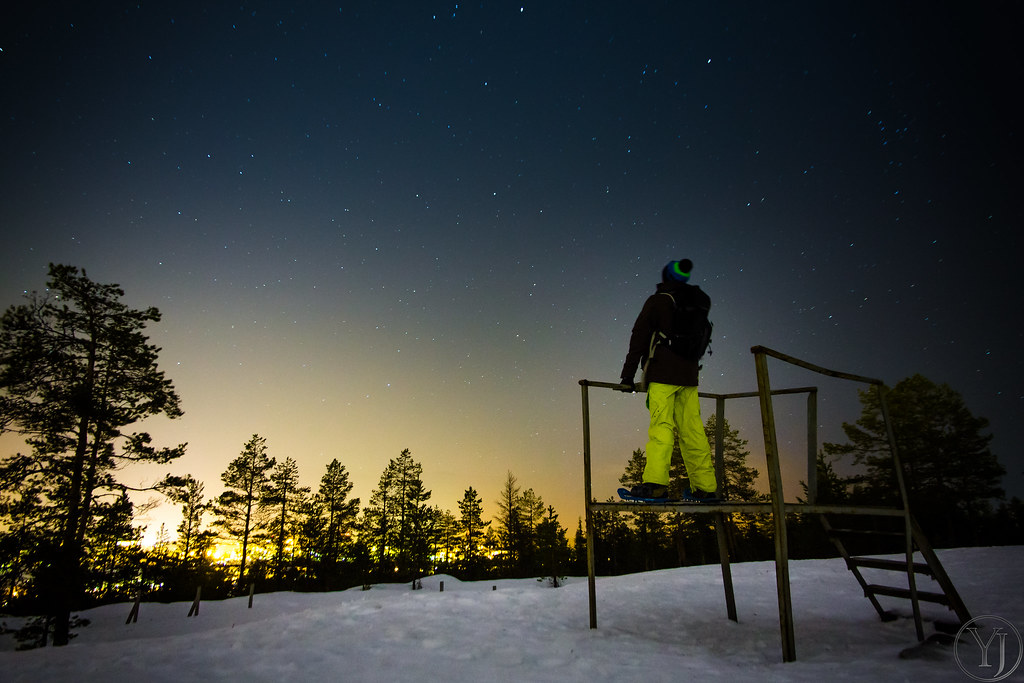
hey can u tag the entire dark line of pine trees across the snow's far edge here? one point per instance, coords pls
(77, 372)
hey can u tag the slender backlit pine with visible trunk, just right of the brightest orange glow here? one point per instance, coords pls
(239, 507)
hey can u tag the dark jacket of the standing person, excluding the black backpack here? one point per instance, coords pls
(667, 367)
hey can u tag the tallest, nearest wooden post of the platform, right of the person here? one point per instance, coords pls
(778, 508)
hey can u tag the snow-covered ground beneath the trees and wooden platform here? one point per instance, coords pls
(660, 626)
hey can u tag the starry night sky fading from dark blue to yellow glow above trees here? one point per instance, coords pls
(372, 227)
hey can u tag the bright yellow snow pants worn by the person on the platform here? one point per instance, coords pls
(677, 409)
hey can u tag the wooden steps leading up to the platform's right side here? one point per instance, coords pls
(930, 567)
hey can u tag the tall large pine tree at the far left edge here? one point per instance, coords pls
(75, 371)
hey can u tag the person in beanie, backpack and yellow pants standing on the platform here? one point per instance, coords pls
(669, 338)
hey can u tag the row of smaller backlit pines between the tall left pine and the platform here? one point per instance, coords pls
(283, 536)
